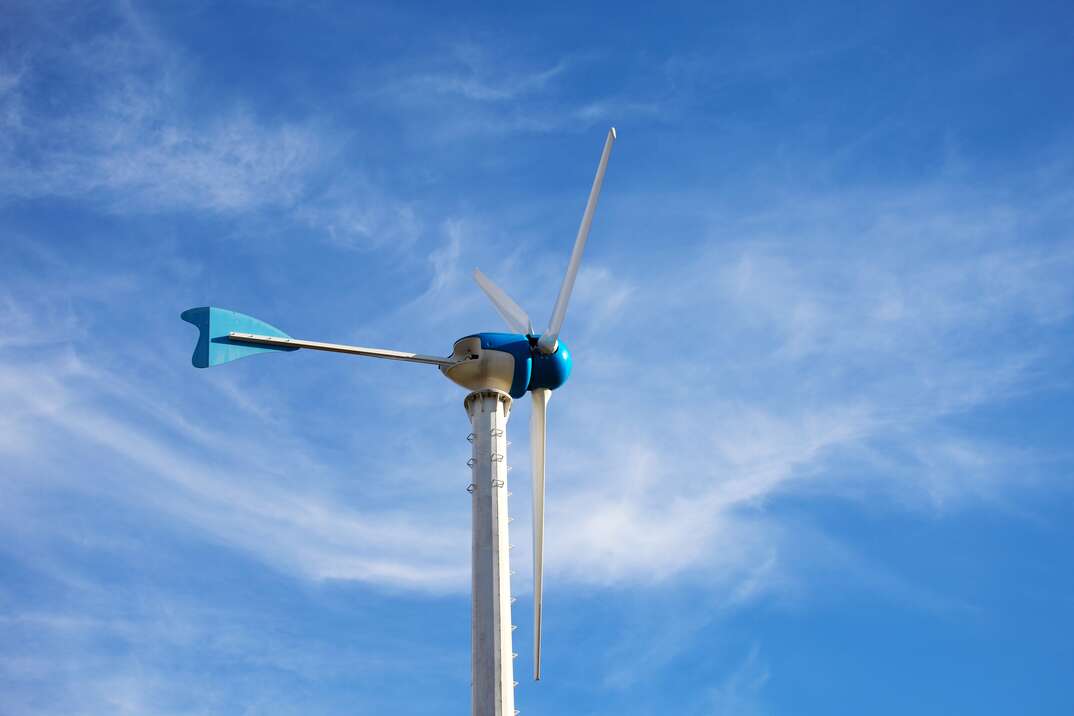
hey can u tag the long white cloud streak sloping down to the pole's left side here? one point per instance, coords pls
(225, 487)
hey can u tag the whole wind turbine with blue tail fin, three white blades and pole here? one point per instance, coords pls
(496, 368)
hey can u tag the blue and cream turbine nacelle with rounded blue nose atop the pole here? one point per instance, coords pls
(510, 362)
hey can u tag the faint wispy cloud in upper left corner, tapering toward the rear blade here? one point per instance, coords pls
(133, 140)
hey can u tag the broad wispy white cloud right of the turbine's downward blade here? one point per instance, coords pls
(787, 356)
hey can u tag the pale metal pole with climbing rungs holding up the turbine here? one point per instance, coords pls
(492, 668)
